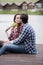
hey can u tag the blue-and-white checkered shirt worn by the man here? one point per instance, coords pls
(27, 37)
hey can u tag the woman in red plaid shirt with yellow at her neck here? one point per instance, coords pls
(15, 30)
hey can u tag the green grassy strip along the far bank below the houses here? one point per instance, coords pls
(21, 11)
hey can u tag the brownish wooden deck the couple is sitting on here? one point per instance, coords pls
(23, 59)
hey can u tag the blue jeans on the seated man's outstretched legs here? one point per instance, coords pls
(12, 48)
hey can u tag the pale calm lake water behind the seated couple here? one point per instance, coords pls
(36, 21)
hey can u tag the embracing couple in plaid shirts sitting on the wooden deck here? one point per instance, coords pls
(21, 38)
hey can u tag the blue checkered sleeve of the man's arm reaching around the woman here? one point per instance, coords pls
(21, 37)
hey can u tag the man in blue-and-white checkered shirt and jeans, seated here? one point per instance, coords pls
(25, 43)
